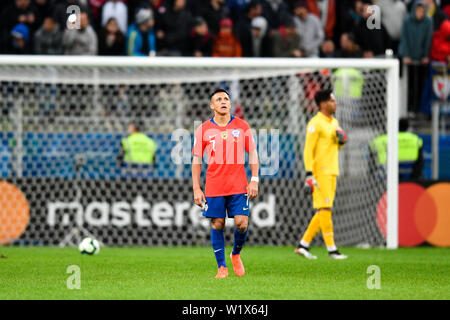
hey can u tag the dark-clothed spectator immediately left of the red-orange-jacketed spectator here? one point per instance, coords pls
(200, 39)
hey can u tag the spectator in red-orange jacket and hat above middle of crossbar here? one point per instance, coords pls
(225, 43)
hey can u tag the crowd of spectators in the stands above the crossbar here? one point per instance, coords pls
(227, 28)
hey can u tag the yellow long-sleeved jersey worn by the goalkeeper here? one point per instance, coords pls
(320, 154)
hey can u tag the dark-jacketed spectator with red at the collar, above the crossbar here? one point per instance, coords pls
(286, 41)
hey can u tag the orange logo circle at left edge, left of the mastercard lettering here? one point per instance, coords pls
(14, 212)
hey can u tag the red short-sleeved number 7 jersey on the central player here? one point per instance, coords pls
(225, 149)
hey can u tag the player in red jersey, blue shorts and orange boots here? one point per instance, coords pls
(225, 139)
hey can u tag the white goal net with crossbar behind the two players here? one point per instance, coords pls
(63, 118)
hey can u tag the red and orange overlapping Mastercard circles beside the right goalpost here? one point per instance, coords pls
(423, 214)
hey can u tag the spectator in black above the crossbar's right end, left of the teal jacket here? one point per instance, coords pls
(373, 42)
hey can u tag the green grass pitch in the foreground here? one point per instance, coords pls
(187, 273)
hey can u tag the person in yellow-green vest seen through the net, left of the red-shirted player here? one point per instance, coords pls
(137, 148)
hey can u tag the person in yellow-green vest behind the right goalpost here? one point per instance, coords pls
(410, 152)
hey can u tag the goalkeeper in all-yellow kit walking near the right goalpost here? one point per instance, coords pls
(324, 139)
